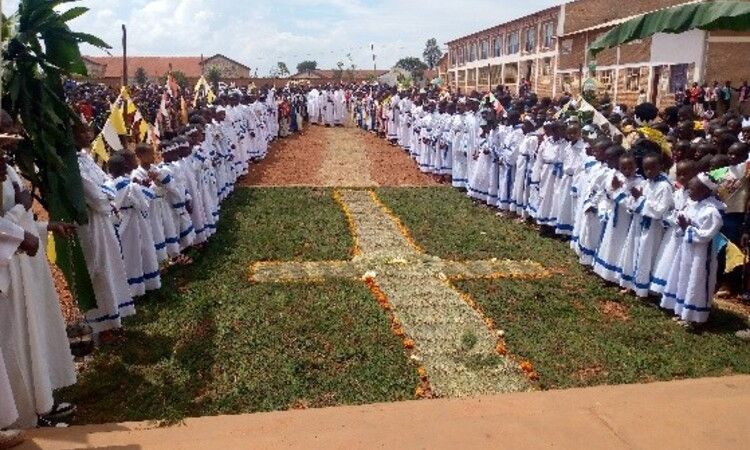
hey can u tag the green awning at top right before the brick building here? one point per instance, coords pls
(715, 15)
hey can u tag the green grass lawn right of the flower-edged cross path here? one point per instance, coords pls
(576, 330)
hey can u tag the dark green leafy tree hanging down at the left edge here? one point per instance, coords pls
(39, 51)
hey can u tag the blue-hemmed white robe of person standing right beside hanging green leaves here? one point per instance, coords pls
(102, 252)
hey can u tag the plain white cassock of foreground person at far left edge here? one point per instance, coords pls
(32, 330)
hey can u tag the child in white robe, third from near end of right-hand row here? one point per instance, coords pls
(651, 204)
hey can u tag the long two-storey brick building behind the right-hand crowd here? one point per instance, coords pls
(658, 66)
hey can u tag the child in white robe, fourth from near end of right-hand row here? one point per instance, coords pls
(616, 216)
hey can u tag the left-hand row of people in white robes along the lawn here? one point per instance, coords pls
(145, 210)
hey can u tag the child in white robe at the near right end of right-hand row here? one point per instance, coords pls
(692, 280)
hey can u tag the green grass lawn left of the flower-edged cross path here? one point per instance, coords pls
(211, 343)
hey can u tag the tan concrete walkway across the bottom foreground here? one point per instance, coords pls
(706, 413)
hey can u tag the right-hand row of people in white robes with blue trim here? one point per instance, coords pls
(636, 216)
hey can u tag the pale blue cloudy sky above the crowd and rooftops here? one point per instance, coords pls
(260, 33)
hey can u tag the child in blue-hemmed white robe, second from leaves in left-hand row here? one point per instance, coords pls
(137, 241)
